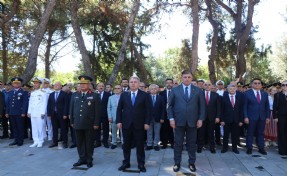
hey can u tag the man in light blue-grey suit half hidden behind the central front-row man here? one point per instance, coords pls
(112, 114)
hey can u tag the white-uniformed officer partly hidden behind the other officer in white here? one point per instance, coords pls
(48, 122)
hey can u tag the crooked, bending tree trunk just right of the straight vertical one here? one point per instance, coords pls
(213, 51)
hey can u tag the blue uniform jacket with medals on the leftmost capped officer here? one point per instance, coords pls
(17, 102)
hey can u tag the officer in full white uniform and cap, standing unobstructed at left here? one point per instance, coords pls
(36, 111)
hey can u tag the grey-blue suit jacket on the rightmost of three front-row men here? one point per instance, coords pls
(186, 111)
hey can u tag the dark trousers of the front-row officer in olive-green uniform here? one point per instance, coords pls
(85, 144)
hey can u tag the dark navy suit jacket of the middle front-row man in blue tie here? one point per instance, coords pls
(136, 115)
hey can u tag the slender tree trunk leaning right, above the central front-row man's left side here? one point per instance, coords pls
(120, 60)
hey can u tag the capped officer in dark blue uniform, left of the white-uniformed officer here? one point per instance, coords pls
(16, 110)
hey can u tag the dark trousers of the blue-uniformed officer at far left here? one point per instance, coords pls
(17, 123)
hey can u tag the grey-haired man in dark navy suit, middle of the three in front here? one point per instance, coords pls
(133, 116)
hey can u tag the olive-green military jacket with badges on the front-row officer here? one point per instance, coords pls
(85, 112)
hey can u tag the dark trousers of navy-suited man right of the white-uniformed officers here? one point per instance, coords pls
(59, 122)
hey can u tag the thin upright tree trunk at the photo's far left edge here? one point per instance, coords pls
(4, 55)
